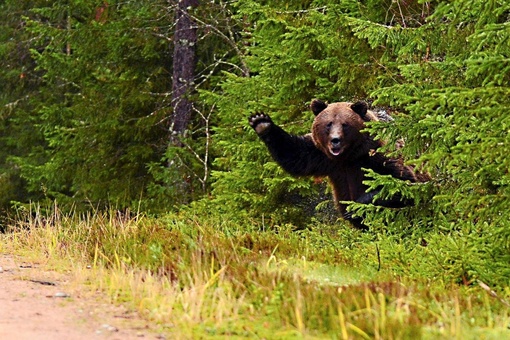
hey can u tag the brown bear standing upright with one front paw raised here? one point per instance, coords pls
(338, 149)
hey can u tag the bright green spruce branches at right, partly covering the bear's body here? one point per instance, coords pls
(453, 89)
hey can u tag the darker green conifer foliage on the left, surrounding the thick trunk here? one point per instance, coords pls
(88, 123)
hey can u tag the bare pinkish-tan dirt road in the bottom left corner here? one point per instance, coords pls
(41, 305)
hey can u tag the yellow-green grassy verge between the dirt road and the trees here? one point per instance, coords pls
(205, 277)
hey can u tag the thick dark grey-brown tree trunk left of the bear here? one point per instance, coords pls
(184, 60)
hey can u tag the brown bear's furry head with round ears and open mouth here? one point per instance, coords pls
(337, 126)
